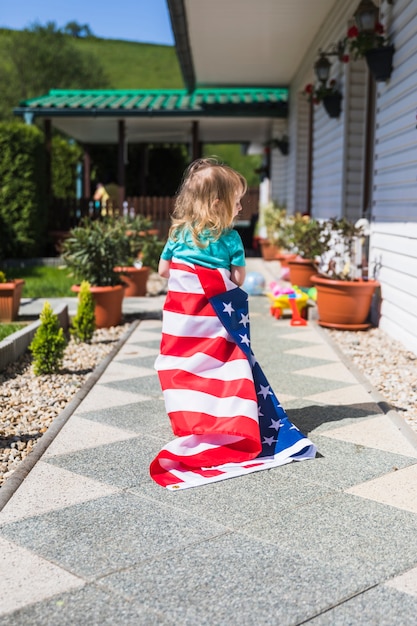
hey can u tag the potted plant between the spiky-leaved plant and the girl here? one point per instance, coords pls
(140, 252)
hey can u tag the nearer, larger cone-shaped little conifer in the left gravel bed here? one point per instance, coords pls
(48, 344)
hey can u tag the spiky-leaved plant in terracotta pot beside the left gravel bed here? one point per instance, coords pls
(92, 251)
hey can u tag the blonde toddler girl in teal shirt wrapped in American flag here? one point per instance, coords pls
(226, 417)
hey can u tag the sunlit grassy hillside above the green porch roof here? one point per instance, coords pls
(131, 65)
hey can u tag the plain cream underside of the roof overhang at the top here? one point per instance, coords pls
(244, 42)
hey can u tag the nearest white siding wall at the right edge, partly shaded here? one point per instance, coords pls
(394, 211)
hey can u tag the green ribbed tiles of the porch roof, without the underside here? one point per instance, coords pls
(258, 102)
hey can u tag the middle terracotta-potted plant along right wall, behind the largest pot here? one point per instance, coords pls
(308, 239)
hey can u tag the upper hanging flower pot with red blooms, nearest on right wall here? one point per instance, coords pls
(373, 46)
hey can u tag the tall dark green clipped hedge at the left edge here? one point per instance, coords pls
(23, 210)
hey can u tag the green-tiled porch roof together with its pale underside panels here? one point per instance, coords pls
(152, 116)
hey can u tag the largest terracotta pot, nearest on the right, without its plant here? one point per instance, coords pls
(344, 304)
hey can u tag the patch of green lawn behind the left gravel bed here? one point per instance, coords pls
(43, 281)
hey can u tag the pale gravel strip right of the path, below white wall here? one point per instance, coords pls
(387, 364)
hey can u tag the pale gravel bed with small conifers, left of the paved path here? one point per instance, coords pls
(29, 403)
